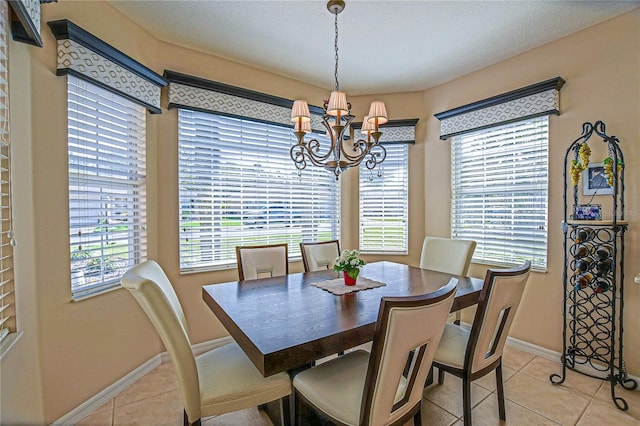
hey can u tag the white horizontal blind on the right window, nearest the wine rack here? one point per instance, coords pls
(499, 192)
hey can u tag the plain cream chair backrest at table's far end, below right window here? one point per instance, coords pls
(447, 255)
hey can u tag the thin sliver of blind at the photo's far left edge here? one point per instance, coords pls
(7, 305)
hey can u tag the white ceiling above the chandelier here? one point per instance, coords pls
(384, 46)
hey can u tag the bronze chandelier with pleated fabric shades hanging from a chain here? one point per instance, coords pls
(345, 151)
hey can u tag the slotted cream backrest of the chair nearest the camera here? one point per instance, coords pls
(403, 352)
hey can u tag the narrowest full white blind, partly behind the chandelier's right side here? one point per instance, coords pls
(384, 204)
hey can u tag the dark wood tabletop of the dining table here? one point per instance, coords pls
(283, 323)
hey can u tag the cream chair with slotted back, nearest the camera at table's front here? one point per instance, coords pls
(384, 387)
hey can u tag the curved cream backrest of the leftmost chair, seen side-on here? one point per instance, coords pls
(153, 291)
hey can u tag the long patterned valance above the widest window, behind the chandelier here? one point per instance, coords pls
(198, 94)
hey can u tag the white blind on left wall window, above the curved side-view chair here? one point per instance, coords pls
(107, 198)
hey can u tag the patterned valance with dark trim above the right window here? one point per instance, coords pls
(528, 102)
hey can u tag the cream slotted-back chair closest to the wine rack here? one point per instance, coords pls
(475, 353)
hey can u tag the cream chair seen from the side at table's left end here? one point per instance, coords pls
(216, 382)
